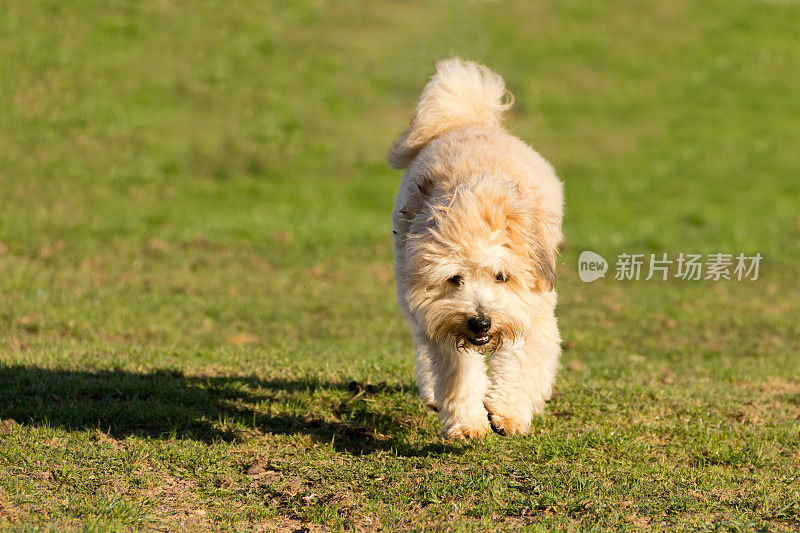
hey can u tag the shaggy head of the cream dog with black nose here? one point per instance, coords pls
(477, 261)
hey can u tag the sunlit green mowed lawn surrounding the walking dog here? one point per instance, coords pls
(198, 327)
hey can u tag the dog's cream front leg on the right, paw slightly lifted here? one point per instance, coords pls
(522, 376)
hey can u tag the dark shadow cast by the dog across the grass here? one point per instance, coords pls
(169, 405)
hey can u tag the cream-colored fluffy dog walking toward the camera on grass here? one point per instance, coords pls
(477, 224)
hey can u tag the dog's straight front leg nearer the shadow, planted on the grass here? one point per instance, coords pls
(460, 386)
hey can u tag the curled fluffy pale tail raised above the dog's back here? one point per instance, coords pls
(461, 92)
